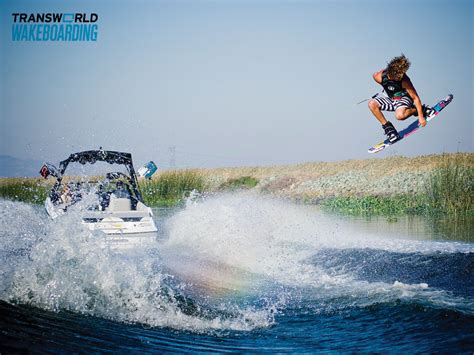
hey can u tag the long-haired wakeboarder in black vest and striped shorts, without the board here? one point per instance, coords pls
(401, 97)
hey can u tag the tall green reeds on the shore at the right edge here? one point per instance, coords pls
(450, 189)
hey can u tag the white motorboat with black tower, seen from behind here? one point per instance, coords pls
(116, 209)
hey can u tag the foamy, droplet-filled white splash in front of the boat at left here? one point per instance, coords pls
(68, 268)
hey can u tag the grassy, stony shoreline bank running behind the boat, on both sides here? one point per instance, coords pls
(424, 185)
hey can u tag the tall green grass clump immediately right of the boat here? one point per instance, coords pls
(171, 187)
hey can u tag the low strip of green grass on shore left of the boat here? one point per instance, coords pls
(29, 190)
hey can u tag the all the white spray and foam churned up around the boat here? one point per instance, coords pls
(229, 245)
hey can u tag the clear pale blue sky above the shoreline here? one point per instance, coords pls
(232, 83)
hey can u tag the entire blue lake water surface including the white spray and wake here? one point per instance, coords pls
(237, 273)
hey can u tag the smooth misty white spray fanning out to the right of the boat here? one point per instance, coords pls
(277, 239)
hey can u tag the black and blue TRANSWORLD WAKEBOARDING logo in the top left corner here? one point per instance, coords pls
(55, 27)
